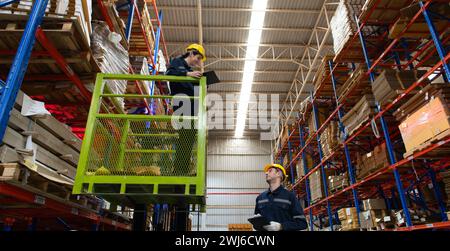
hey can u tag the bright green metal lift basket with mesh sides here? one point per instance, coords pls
(146, 158)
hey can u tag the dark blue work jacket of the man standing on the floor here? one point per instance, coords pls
(283, 207)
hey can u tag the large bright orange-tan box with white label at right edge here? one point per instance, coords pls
(428, 122)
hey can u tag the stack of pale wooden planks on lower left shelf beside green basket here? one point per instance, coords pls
(54, 148)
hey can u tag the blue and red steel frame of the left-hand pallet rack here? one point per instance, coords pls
(10, 87)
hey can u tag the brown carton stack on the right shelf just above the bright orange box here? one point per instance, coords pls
(391, 83)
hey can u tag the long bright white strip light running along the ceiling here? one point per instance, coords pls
(253, 41)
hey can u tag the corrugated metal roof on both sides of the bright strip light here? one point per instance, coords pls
(288, 27)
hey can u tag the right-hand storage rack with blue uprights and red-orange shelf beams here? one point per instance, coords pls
(399, 53)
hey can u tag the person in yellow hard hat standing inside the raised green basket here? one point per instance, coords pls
(182, 66)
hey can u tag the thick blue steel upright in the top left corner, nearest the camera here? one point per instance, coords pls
(20, 63)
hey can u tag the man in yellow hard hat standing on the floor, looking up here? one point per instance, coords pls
(278, 205)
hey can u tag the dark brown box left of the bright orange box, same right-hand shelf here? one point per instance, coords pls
(371, 162)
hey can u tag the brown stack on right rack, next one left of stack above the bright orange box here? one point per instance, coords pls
(359, 114)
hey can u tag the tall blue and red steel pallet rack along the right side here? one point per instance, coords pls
(394, 177)
